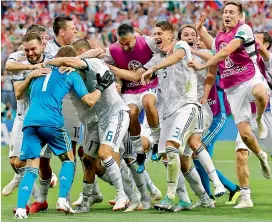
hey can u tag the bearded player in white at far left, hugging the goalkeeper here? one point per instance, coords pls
(21, 63)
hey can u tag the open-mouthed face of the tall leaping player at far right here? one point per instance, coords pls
(231, 16)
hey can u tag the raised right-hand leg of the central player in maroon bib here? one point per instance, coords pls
(149, 101)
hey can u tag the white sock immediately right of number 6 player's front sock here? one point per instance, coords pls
(128, 188)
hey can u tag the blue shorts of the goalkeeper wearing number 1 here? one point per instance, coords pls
(35, 137)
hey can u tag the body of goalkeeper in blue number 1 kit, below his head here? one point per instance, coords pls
(44, 123)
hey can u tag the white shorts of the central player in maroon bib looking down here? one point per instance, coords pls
(137, 99)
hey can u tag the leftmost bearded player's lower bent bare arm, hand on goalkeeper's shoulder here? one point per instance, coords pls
(21, 86)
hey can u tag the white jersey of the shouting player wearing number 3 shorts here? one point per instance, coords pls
(179, 85)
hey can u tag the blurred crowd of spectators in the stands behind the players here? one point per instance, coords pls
(100, 20)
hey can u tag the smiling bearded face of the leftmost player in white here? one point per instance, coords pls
(33, 50)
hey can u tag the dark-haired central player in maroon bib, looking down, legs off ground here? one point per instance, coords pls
(130, 52)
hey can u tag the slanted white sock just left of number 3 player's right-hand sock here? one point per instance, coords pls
(194, 180)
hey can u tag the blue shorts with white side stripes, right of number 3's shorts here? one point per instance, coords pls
(214, 131)
